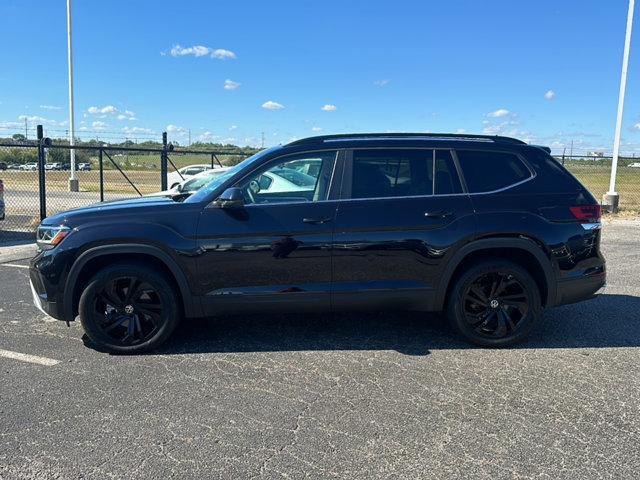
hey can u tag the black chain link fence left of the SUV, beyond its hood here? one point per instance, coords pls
(35, 176)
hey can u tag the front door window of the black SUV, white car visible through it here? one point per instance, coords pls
(295, 178)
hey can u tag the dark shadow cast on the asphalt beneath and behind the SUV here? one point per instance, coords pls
(604, 322)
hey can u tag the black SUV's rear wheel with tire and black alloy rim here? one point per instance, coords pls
(472, 308)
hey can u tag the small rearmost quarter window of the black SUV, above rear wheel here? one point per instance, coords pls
(489, 171)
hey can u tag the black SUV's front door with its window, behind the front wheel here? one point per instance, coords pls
(275, 253)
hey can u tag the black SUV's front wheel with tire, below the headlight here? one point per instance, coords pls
(128, 308)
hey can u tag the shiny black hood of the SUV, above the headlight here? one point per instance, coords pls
(113, 207)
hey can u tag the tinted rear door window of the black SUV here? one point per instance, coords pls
(403, 173)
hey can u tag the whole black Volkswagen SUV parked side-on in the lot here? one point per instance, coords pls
(487, 228)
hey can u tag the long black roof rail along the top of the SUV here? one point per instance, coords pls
(404, 136)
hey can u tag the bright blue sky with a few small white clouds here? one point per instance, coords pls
(545, 71)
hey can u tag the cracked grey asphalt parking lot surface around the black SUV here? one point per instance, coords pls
(369, 396)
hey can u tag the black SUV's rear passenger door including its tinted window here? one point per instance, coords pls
(402, 215)
